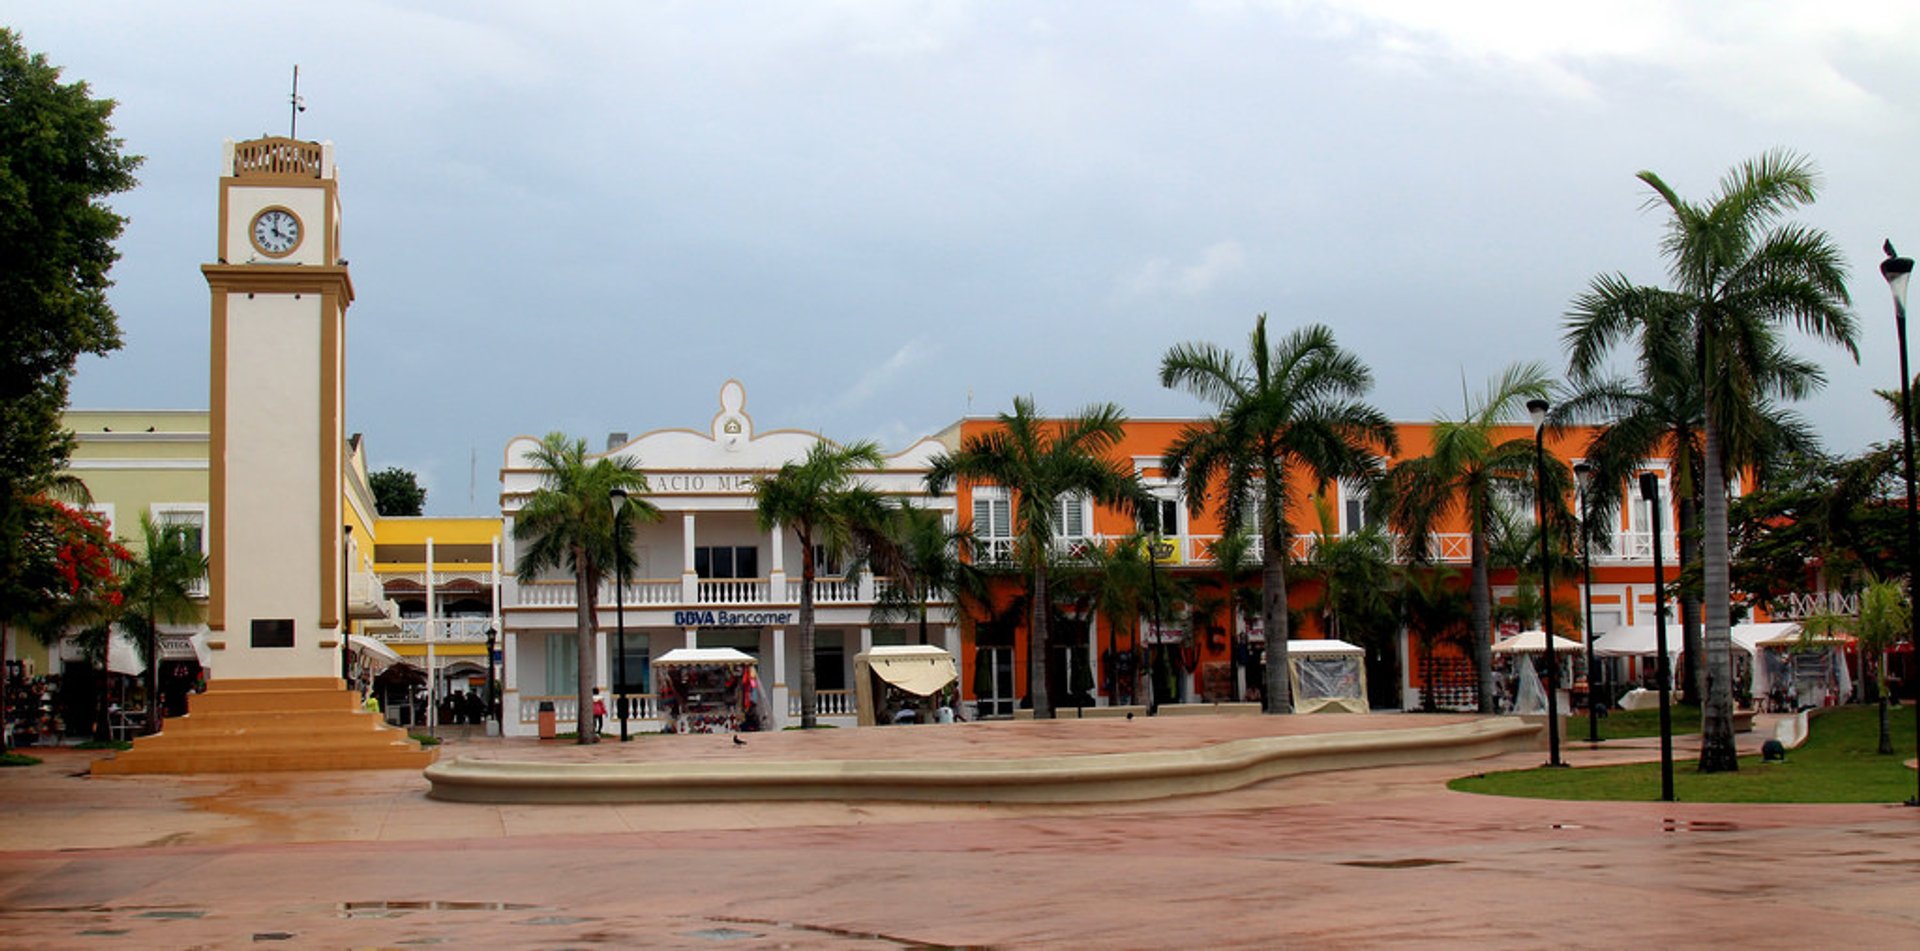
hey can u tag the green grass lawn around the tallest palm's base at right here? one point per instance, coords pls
(1836, 766)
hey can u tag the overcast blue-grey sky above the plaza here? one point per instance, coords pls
(882, 216)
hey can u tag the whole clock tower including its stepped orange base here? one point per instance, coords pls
(276, 477)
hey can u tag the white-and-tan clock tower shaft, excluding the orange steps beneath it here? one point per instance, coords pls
(281, 293)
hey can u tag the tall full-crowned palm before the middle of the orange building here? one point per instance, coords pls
(1289, 406)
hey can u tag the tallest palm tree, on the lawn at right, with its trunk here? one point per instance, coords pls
(1739, 278)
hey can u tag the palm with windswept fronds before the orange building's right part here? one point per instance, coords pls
(1466, 474)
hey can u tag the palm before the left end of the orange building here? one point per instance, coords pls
(1044, 464)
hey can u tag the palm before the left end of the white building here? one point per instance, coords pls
(569, 525)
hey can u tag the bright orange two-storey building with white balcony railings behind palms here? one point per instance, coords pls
(1207, 650)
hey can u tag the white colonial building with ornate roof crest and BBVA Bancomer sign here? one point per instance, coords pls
(706, 577)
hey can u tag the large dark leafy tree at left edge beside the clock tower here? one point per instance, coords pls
(59, 166)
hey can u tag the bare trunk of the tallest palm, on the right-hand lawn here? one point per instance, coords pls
(1717, 716)
